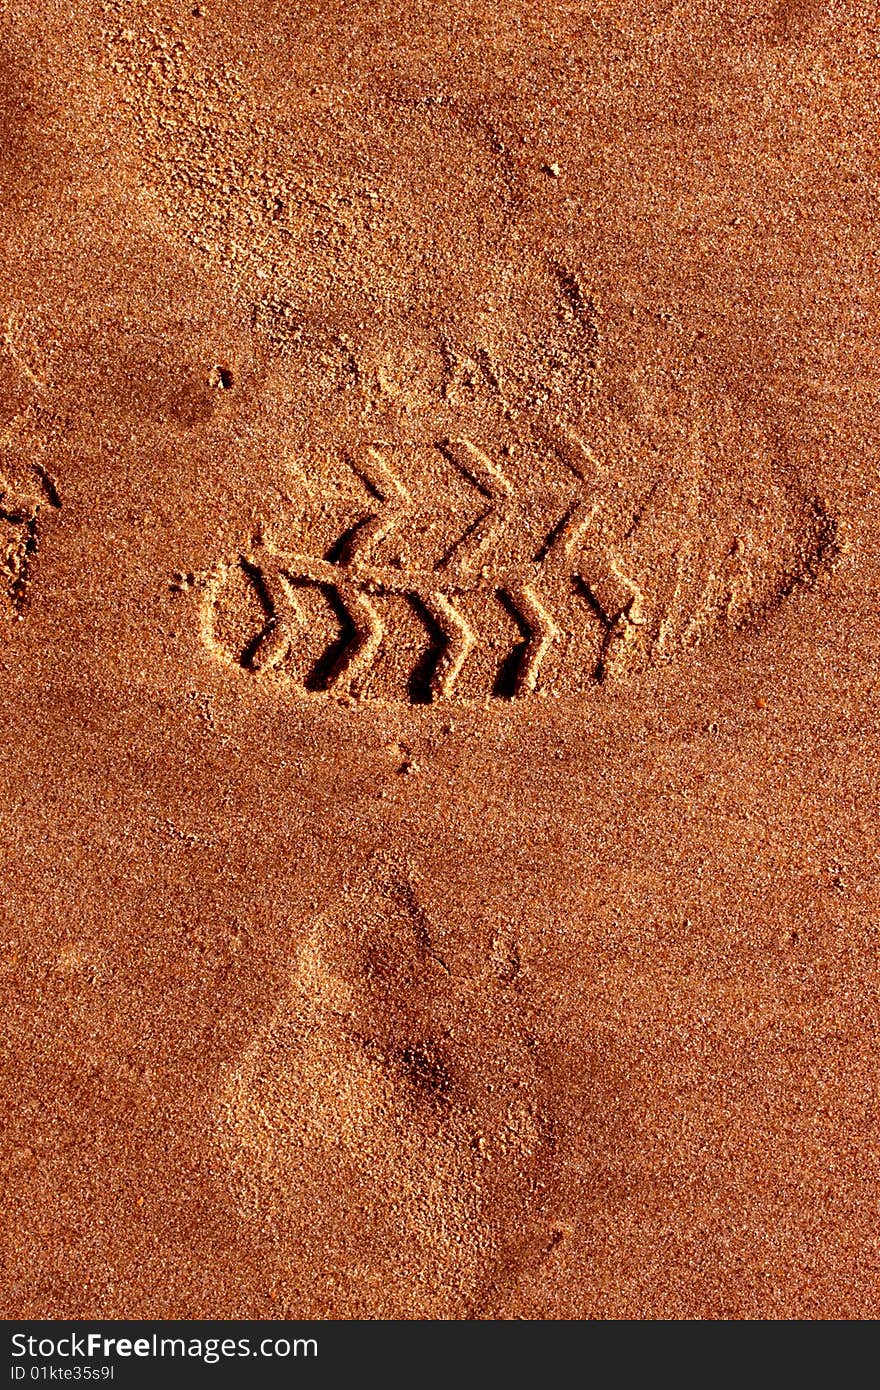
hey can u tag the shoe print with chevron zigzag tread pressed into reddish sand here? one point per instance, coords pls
(586, 579)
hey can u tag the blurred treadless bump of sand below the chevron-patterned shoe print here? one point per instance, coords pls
(422, 1099)
